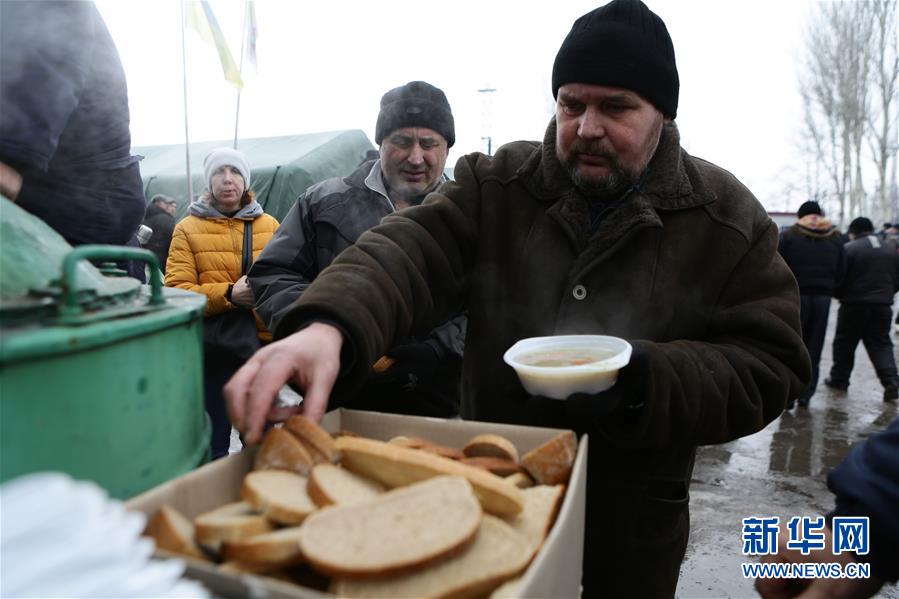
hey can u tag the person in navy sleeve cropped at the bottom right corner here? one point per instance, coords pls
(865, 484)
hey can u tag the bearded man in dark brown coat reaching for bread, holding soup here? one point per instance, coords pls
(607, 227)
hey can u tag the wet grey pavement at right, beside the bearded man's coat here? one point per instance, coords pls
(779, 471)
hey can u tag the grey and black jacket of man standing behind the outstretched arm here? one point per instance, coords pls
(326, 219)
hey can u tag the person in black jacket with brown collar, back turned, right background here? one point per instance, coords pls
(813, 249)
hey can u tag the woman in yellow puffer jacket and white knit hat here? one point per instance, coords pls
(206, 256)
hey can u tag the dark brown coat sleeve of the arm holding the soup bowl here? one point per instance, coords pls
(738, 377)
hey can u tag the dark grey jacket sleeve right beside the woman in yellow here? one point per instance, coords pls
(286, 266)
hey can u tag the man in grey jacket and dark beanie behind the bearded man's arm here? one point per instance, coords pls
(419, 374)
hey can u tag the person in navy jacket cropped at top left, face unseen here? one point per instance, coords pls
(65, 143)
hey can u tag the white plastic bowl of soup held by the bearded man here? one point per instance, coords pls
(562, 365)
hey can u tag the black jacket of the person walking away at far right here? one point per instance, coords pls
(871, 273)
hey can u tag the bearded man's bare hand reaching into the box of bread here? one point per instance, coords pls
(309, 358)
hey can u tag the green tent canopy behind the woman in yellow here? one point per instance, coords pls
(282, 167)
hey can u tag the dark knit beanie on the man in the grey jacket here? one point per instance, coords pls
(416, 104)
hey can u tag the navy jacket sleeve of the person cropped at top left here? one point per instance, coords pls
(45, 59)
